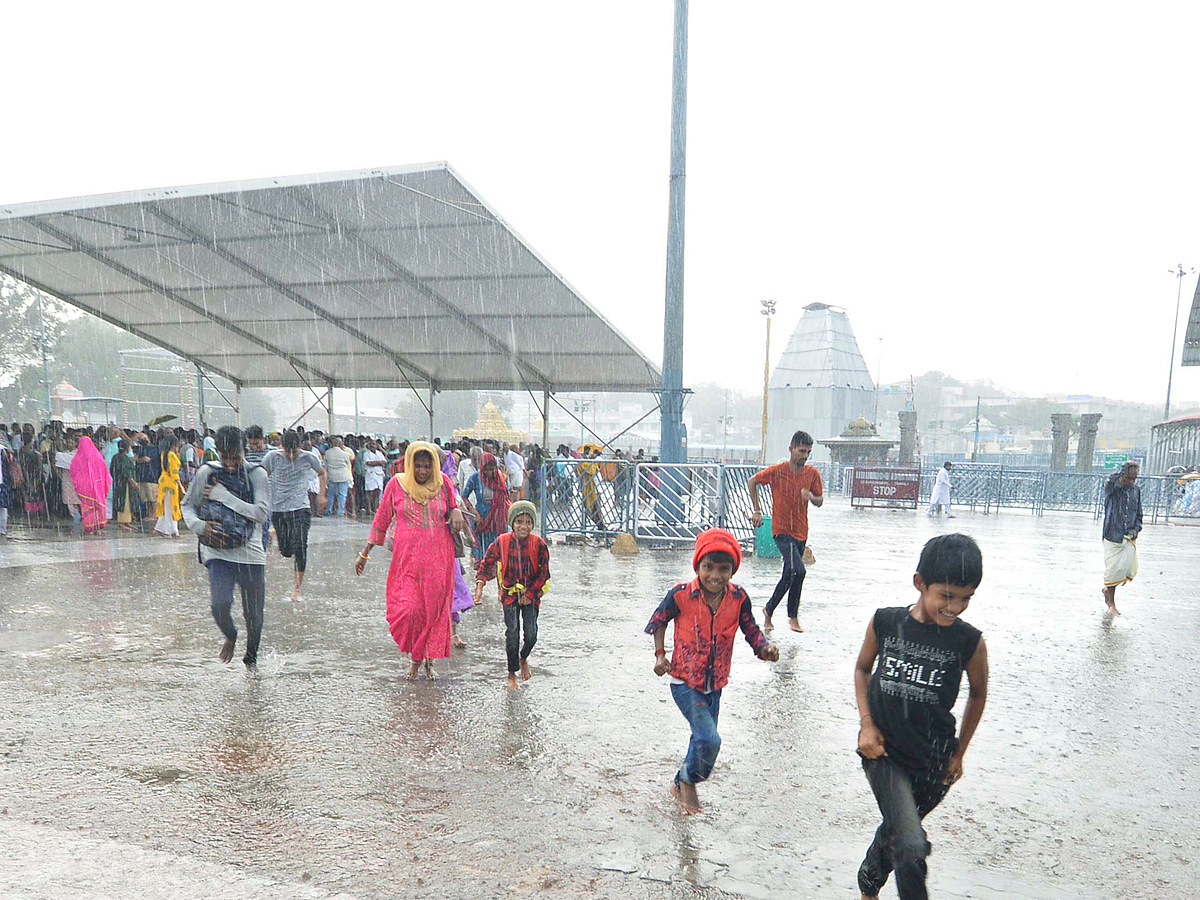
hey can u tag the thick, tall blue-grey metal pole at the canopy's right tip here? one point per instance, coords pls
(671, 436)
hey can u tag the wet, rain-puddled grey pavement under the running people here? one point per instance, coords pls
(136, 765)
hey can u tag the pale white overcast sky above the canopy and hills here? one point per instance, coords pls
(998, 193)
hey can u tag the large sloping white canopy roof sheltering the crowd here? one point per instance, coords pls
(375, 279)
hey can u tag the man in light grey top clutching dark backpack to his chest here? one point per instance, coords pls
(226, 507)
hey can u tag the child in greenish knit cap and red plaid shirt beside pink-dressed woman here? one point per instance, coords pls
(523, 560)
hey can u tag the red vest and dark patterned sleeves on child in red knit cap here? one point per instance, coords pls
(704, 640)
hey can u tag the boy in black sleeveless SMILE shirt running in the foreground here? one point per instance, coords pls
(910, 752)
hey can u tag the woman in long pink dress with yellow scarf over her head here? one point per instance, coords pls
(421, 579)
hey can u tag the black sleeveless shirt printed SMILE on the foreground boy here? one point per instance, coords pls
(915, 686)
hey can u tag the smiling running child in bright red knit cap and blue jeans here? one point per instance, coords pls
(707, 611)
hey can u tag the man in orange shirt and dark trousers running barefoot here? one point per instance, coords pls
(794, 485)
